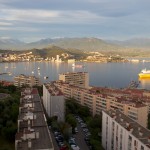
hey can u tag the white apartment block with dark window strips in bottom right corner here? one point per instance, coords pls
(120, 132)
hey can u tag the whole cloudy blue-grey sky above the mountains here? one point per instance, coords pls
(32, 20)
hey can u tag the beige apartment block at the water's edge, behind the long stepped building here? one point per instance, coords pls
(80, 79)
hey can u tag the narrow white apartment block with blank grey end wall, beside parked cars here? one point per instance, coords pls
(53, 101)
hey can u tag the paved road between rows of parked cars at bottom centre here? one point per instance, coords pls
(79, 137)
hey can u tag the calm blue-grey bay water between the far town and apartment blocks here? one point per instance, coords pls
(116, 75)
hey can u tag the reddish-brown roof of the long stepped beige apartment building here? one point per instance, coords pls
(122, 96)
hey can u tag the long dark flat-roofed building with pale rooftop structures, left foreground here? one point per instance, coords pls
(33, 132)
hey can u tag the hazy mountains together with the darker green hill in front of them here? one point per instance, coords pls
(128, 48)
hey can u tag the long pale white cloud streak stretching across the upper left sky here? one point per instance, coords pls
(48, 16)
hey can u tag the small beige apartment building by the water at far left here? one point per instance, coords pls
(30, 81)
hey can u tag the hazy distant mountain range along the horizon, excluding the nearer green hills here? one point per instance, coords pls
(85, 44)
